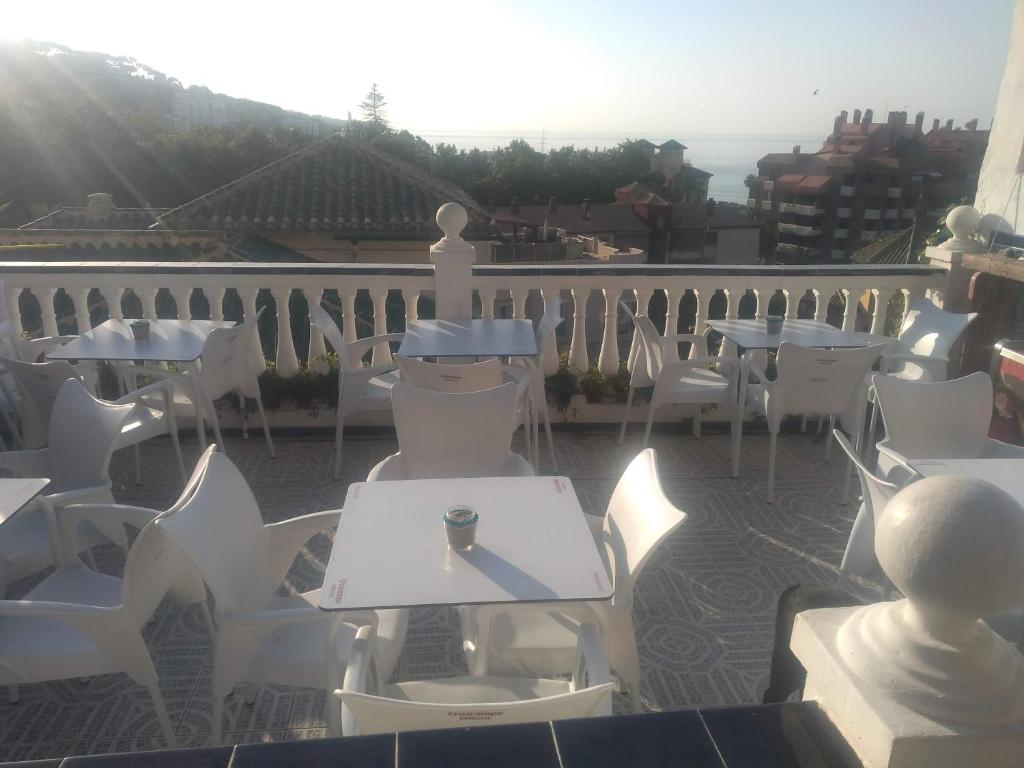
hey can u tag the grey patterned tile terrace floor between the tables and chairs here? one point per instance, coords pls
(705, 606)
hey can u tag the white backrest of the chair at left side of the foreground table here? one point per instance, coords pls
(221, 530)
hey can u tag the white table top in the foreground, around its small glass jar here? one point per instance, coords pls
(533, 545)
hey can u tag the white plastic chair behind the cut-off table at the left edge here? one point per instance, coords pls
(83, 434)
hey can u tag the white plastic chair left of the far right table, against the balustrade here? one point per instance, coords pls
(690, 381)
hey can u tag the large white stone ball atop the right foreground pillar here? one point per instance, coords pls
(955, 547)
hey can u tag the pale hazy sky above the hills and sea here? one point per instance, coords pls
(739, 67)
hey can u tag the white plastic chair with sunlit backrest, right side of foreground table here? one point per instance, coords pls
(528, 639)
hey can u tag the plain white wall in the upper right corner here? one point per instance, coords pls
(1001, 183)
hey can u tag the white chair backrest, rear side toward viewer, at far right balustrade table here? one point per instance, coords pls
(820, 381)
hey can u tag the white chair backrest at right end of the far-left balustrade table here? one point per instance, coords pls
(233, 359)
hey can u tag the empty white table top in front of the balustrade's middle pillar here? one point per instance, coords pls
(477, 338)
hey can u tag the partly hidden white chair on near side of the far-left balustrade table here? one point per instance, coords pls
(40, 382)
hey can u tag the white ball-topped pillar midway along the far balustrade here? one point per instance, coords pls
(453, 259)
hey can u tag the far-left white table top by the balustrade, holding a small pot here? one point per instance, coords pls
(170, 340)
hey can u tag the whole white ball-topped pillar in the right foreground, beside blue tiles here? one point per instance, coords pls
(924, 680)
